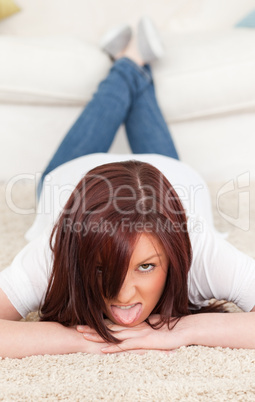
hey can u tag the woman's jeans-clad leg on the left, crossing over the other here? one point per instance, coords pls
(95, 129)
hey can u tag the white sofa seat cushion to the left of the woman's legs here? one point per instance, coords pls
(49, 70)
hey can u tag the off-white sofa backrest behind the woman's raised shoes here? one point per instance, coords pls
(88, 19)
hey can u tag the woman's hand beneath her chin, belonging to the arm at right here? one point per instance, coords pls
(141, 337)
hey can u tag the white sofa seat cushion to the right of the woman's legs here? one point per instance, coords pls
(206, 74)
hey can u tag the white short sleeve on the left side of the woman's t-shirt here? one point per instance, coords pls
(25, 281)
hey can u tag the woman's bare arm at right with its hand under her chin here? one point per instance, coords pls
(233, 330)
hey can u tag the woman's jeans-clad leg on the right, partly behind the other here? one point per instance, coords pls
(146, 128)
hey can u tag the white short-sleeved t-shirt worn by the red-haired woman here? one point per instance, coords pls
(218, 269)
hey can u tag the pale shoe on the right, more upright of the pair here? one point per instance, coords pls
(148, 40)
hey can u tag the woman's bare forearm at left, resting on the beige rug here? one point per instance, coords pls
(20, 339)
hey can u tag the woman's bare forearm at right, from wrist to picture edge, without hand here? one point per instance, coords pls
(233, 330)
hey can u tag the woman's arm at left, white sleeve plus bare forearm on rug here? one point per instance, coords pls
(25, 282)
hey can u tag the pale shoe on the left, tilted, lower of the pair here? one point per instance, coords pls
(115, 40)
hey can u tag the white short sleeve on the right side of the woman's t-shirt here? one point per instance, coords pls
(218, 269)
